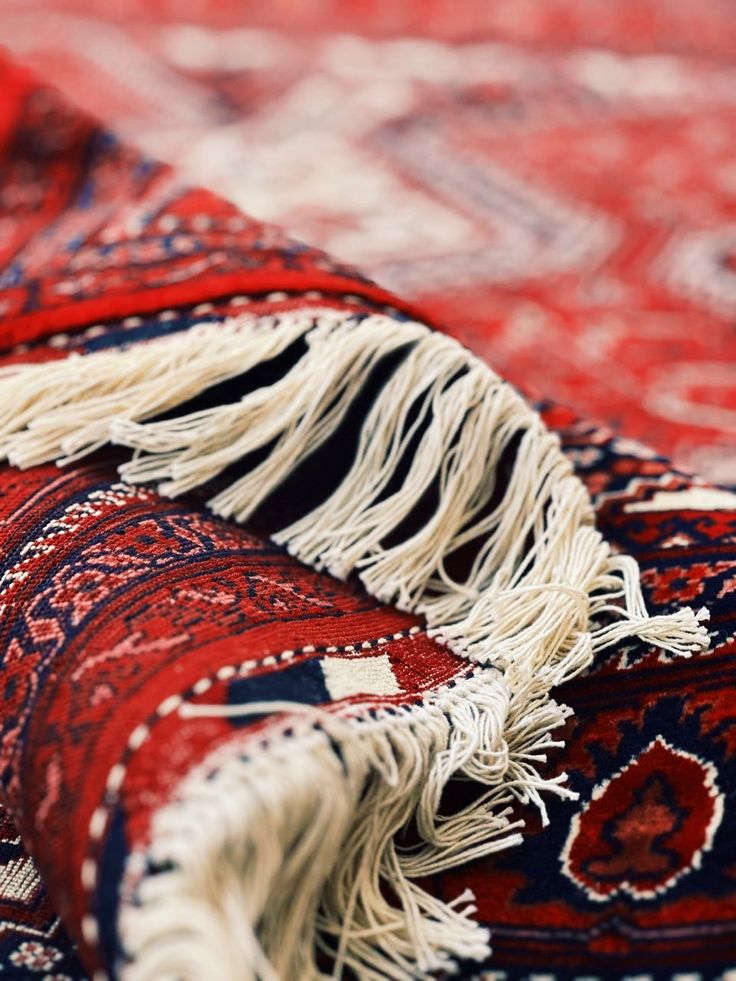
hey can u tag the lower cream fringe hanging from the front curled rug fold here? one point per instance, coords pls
(298, 841)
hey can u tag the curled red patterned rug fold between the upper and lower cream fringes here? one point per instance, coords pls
(109, 594)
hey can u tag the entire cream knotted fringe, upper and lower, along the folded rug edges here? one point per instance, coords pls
(505, 565)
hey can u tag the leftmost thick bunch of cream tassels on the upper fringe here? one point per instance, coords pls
(67, 406)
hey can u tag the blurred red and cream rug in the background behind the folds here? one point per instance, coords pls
(557, 181)
